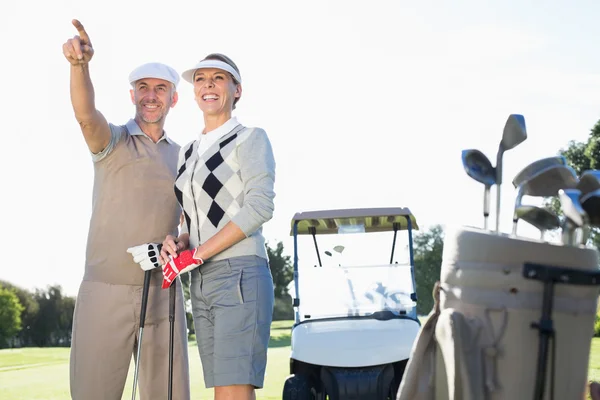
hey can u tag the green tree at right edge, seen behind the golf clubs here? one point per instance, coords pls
(582, 156)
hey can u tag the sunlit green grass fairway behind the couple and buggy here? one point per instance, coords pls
(43, 373)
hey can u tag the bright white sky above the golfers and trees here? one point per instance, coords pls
(366, 104)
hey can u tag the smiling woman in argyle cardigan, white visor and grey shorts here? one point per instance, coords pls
(225, 186)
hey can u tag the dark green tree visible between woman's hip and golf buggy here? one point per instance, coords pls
(283, 273)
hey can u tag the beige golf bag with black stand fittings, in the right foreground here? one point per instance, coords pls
(513, 319)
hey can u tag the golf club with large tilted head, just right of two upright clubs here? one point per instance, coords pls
(543, 182)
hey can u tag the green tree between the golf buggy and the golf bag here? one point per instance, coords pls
(428, 249)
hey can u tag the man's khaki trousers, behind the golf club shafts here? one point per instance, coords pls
(105, 333)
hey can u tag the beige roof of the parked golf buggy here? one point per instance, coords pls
(374, 220)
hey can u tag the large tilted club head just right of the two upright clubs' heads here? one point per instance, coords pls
(548, 181)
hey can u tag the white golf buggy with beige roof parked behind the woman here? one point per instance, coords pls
(355, 307)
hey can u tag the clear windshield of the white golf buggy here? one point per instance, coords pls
(355, 278)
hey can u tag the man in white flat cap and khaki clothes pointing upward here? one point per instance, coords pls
(133, 203)
